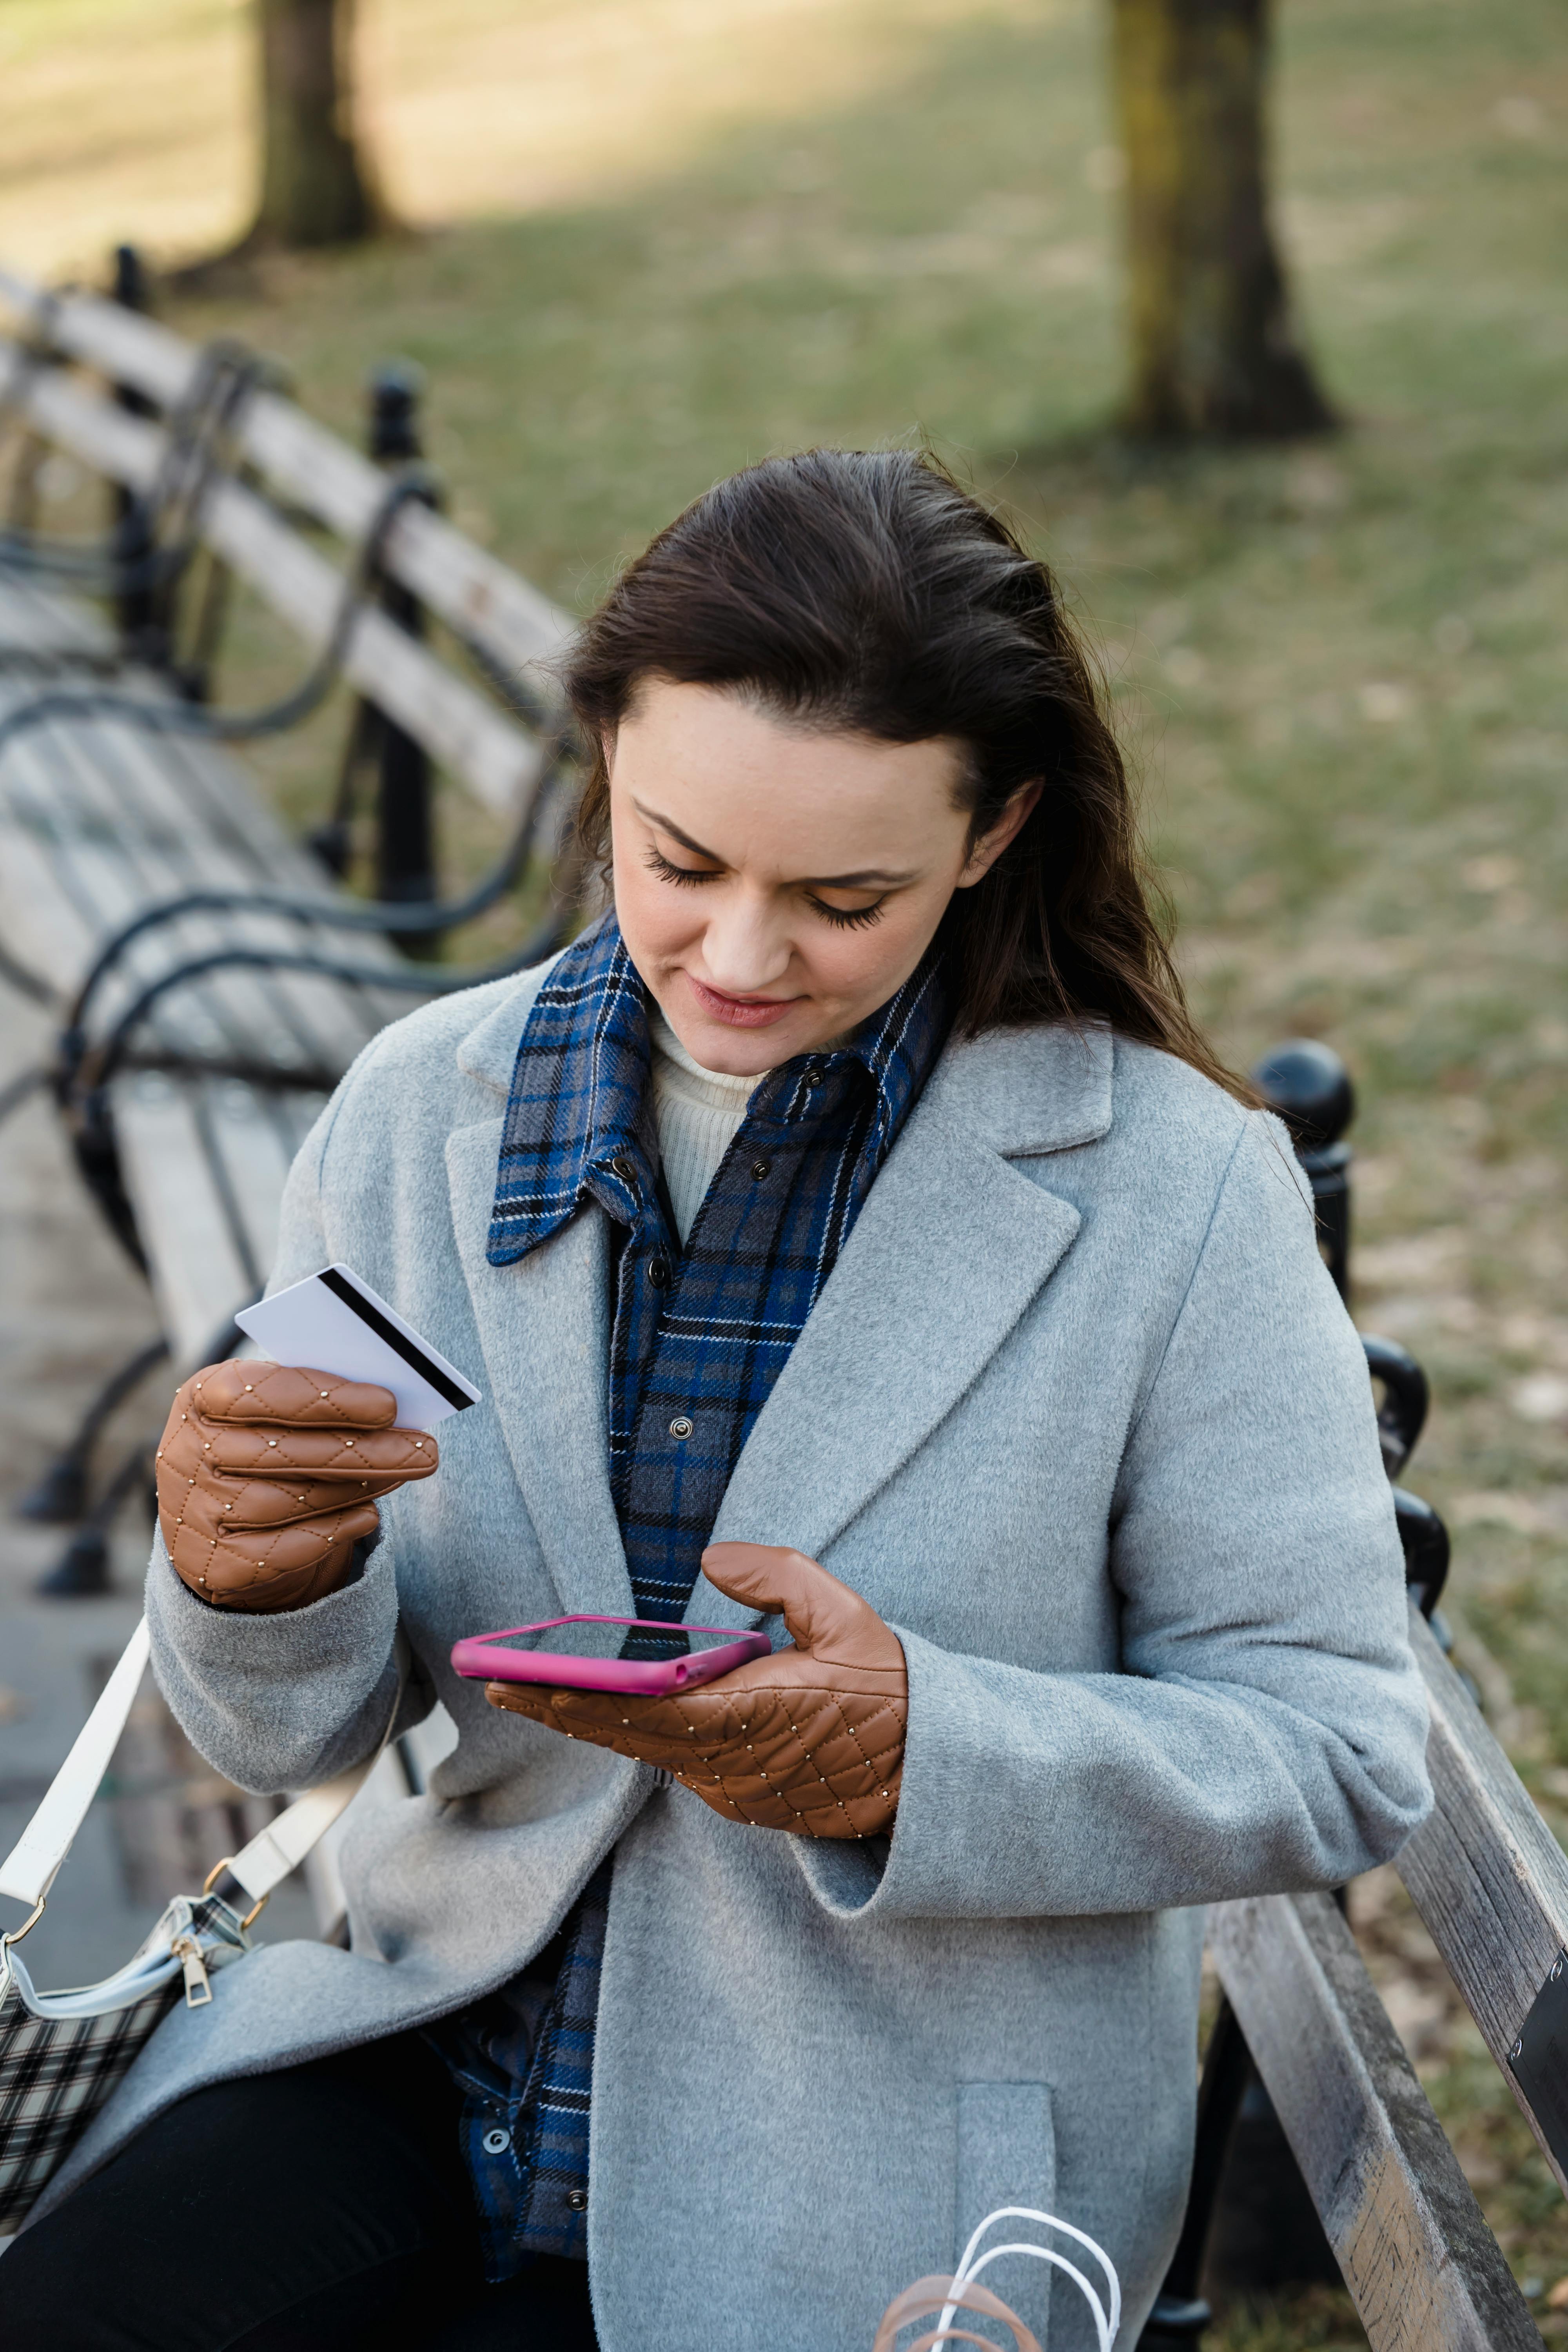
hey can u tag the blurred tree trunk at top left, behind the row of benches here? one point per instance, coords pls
(314, 185)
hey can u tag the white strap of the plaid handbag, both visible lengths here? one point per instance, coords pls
(34, 1862)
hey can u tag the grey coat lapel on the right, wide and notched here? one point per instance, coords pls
(949, 1252)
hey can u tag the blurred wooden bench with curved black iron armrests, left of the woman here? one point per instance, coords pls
(208, 975)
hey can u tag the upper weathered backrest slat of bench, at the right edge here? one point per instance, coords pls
(1485, 1873)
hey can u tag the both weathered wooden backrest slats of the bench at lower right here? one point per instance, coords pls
(1492, 1885)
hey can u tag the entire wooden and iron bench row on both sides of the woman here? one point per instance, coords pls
(185, 1121)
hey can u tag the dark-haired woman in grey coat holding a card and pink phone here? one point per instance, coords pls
(850, 1227)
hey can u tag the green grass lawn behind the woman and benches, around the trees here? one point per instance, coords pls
(1339, 667)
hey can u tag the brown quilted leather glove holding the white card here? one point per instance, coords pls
(269, 1476)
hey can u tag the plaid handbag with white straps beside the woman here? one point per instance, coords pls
(62, 2054)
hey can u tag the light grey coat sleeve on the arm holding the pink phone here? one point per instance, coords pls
(1268, 1728)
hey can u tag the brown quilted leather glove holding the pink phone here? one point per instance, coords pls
(810, 1739)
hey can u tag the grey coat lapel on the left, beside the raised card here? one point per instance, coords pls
(544, 1330)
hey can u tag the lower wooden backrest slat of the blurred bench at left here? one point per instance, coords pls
(500, 763)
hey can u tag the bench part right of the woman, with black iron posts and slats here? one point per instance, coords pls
(1299, 2005)
